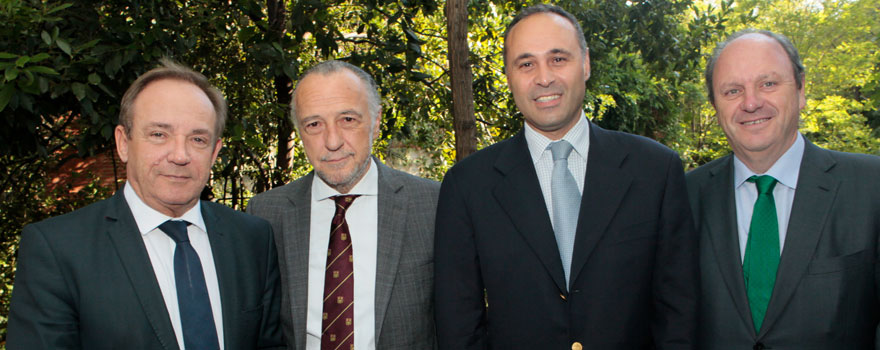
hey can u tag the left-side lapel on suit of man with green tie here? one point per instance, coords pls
(718, 204)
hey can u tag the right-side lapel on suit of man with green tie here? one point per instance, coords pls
(812, 203)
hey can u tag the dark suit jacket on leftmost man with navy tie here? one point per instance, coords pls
(85, 281)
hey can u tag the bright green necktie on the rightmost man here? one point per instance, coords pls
(762, 250)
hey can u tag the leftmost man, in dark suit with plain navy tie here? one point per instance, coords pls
(152, 267)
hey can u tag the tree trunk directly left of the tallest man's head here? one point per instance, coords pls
(463, 120)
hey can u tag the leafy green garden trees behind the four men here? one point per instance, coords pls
(65, 65)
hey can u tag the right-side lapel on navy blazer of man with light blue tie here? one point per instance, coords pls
(604, 188)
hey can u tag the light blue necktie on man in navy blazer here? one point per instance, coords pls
(566, 200)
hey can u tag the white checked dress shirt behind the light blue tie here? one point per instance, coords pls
(539, 148)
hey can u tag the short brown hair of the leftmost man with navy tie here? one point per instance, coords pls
(169, 69)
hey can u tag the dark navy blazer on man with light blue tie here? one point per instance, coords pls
(633, 273)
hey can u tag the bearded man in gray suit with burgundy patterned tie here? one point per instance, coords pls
(386, 234)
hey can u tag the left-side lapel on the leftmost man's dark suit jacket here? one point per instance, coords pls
(123, 232)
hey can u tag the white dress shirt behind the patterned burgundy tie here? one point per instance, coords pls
(362, 218)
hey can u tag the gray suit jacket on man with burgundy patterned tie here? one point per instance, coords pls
(404, 261)
